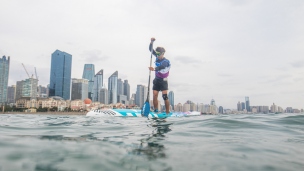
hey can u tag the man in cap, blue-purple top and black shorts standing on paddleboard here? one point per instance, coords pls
(160, 82)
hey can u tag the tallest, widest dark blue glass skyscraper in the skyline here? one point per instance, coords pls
(60, 76)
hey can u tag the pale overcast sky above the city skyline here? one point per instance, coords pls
(220, 49)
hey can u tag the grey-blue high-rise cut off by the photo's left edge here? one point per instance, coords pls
(4, 73)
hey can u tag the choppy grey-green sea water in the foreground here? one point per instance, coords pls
(221, 143)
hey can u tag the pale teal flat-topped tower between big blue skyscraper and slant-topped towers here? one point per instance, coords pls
(89, 73)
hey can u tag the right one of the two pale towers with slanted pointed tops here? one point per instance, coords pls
(112, 88)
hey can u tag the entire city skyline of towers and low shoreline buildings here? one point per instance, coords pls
(90, 92)
